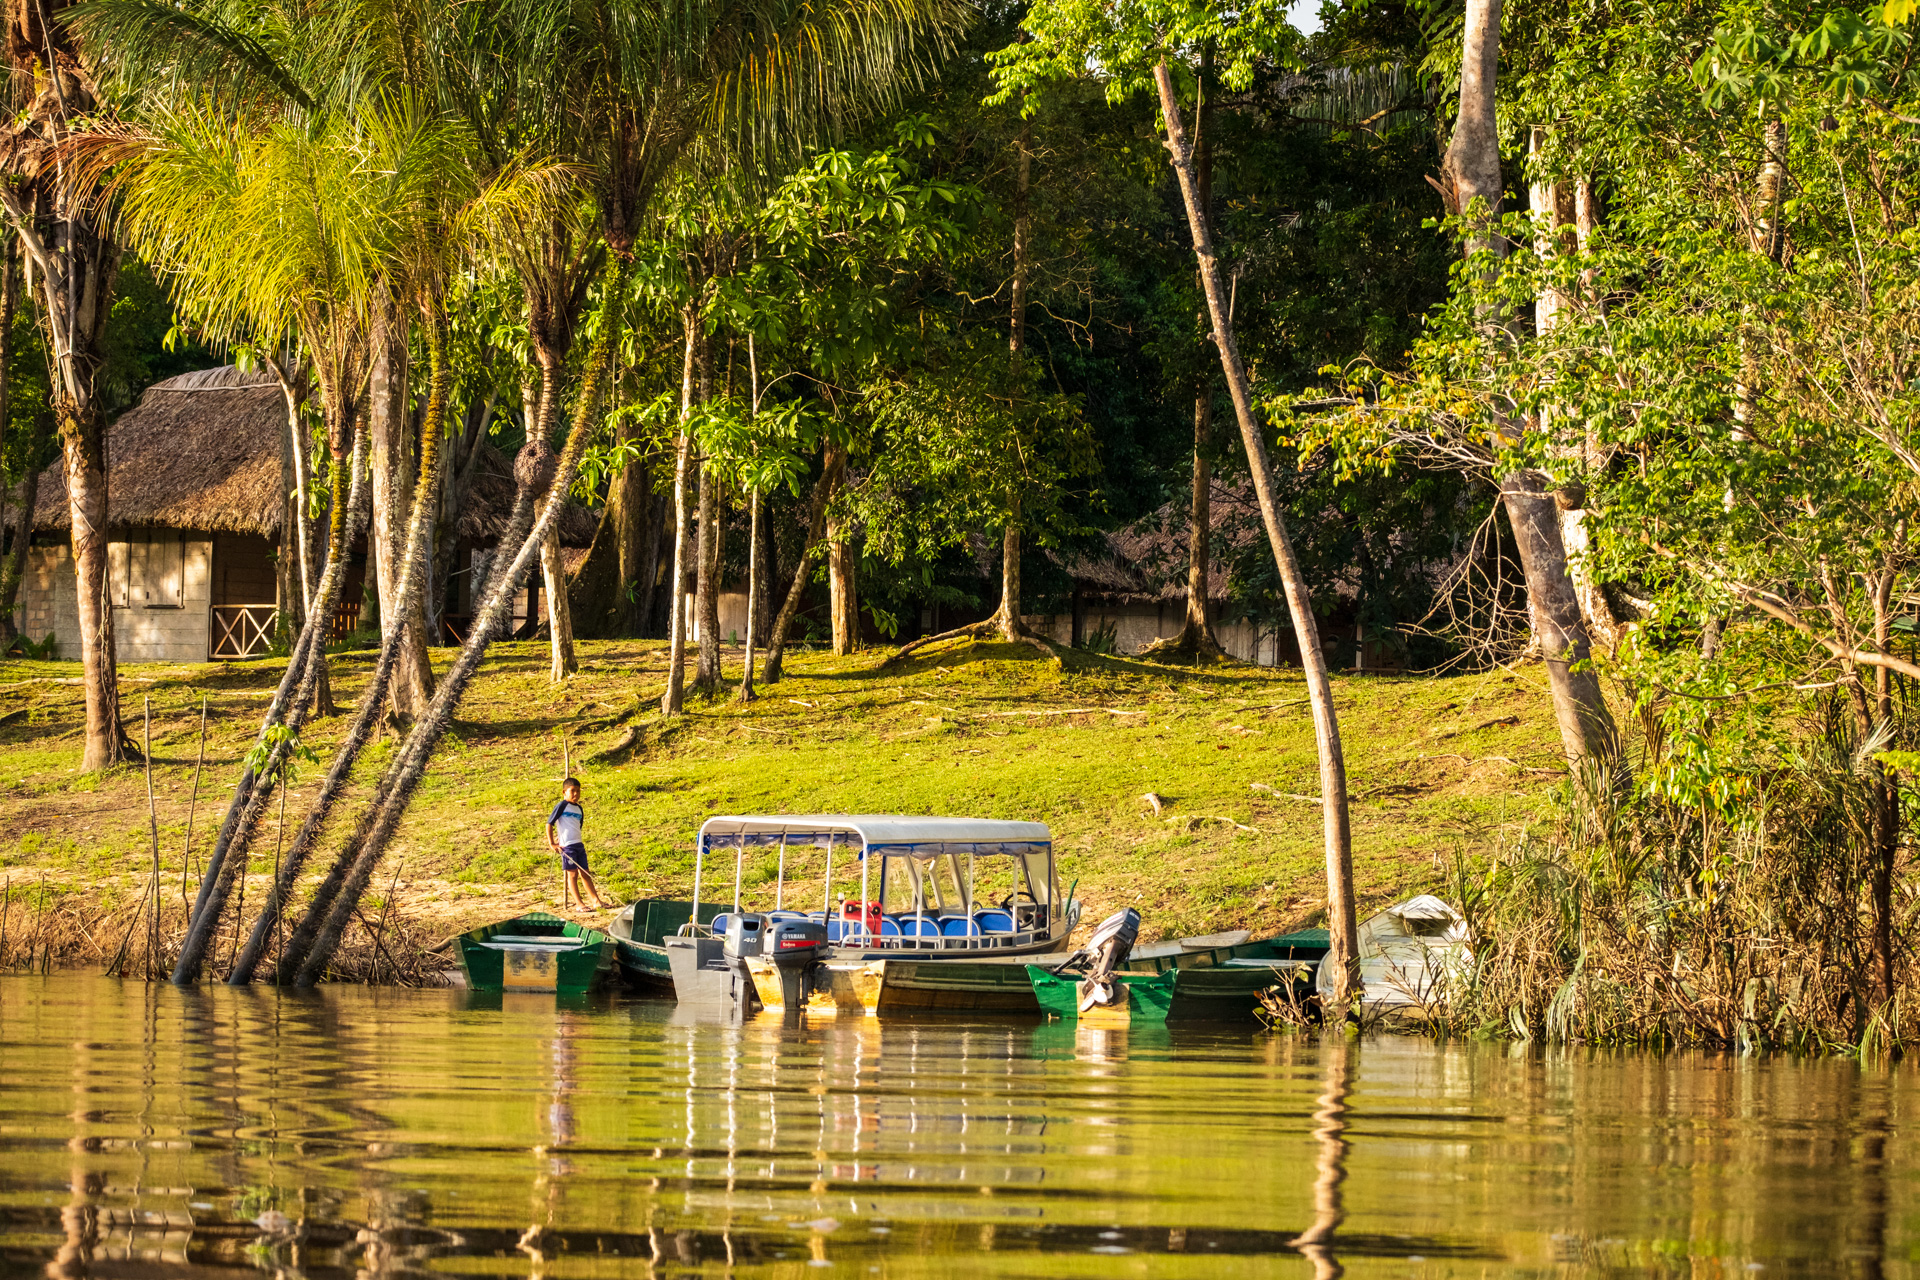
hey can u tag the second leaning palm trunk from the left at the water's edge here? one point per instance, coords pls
(414, 582)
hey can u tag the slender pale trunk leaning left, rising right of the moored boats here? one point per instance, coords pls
(1337, 840)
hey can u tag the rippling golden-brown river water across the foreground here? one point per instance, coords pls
(158, 1133)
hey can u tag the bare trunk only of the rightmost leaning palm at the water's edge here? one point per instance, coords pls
(410, 763)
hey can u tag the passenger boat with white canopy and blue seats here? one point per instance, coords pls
(890, 888)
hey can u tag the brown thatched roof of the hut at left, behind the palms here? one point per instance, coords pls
(203, 452)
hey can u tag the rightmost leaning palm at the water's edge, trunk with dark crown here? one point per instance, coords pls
(633, 91)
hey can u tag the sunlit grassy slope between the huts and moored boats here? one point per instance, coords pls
(1439, 769)
